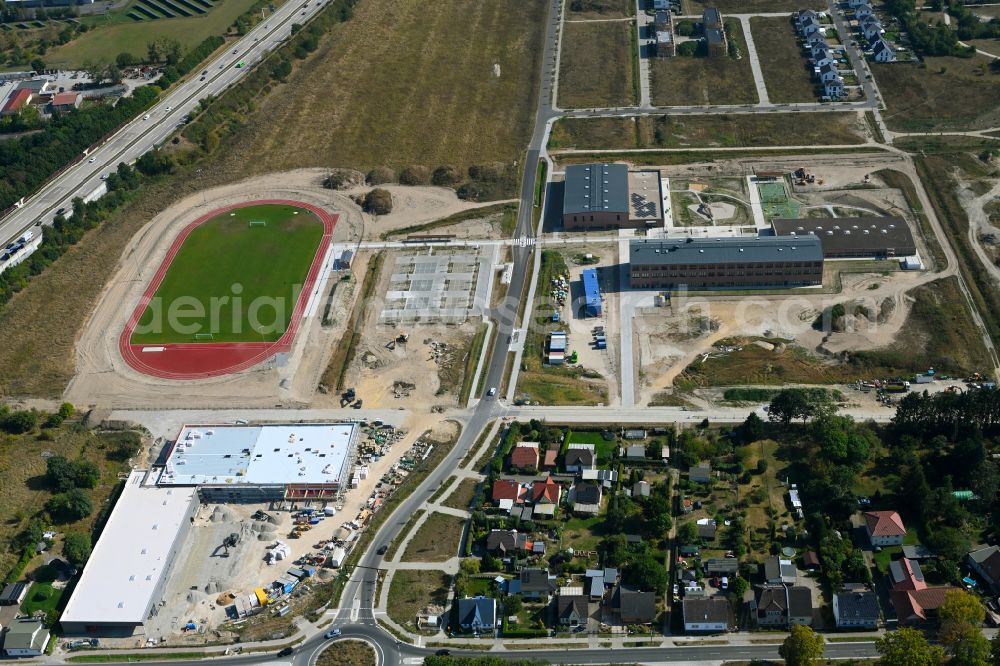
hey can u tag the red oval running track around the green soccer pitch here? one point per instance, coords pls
(196, 360)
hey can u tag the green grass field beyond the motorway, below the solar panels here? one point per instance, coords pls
(103, 43)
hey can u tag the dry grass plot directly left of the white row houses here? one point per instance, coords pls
(782, 61)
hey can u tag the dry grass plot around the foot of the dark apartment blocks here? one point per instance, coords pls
(686, 81)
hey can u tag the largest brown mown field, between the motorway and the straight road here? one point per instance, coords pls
(404, 83)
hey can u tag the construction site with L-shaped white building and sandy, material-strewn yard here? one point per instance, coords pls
(209, 568)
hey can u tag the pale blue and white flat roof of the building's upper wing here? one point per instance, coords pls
(274, 454)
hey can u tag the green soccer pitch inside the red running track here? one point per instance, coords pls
(236, 278)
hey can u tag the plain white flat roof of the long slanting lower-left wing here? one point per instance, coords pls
(134, 550)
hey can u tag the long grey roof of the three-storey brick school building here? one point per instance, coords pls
(739, 250)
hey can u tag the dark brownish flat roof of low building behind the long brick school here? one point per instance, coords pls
(856, 233)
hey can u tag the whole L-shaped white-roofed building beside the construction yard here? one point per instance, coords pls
(125, 577)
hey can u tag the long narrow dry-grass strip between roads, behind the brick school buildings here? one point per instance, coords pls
(737, 130)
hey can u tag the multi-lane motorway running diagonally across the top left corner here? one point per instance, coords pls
(152, 129)
